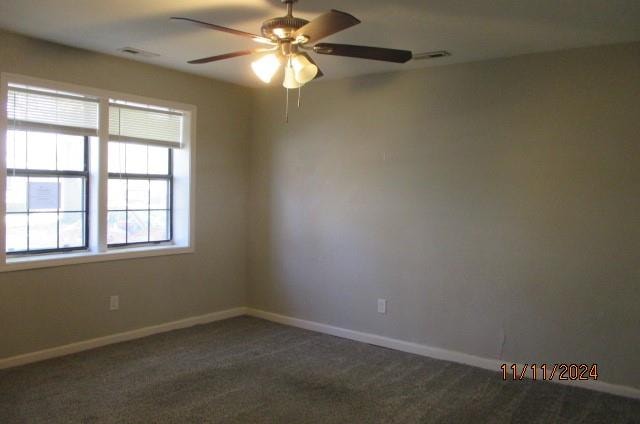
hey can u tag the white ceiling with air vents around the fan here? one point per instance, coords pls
(471, 30)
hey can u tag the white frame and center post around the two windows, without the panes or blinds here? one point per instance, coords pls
(183, 241)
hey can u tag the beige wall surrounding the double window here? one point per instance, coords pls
(51, 307)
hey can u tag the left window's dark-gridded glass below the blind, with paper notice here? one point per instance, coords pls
(46, 200)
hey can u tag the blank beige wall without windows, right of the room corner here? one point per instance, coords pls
(483, 200)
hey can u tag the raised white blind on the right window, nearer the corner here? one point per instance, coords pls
(140, 124)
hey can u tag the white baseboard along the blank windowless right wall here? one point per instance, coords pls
(432, 352)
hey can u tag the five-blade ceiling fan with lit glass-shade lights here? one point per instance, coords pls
(287, 39)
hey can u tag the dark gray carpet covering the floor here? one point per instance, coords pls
(246, 370)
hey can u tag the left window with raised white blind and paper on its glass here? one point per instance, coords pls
(47, 169)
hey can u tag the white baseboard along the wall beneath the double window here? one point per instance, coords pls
(54, 352)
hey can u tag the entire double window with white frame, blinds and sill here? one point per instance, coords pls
(92, 175)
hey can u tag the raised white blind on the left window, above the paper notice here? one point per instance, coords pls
(34, 109)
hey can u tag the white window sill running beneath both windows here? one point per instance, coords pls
(63, 259)
